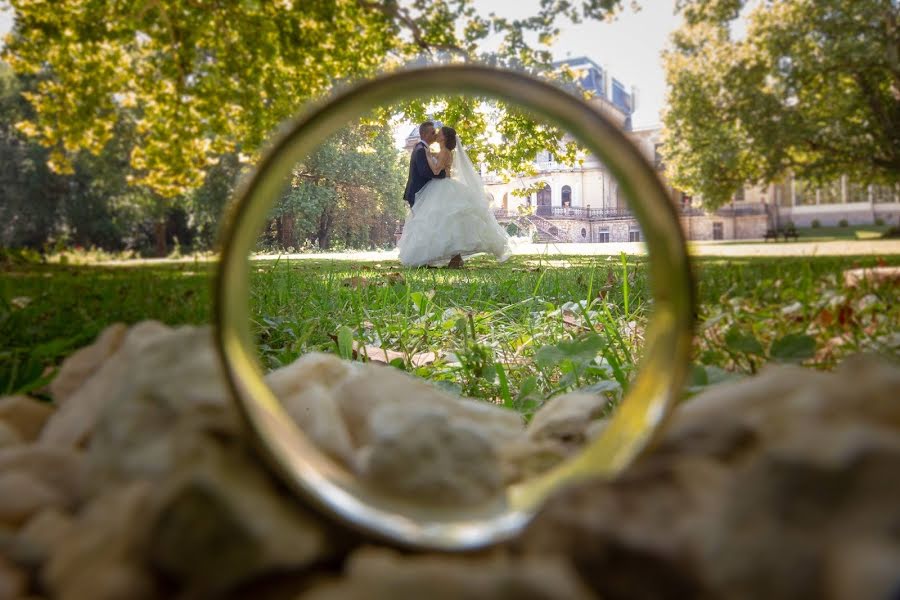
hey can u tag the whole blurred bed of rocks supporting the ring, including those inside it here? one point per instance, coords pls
(139, 482)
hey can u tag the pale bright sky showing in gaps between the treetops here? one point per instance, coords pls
(629, 46)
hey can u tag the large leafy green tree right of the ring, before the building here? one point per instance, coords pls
(813, 89)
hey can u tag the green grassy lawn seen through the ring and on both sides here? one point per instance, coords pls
(516, 334)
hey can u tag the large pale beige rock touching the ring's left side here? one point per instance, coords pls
(177, 391)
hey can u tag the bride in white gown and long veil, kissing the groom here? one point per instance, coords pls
(450, 218)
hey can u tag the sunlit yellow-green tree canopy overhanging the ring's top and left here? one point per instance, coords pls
(195, 79)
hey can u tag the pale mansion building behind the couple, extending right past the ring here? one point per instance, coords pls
(583, 203)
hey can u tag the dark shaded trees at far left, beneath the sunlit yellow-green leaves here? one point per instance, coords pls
(92, 205)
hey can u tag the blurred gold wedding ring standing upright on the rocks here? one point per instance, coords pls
(332, 489)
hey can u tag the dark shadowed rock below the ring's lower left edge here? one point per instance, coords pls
(220, 521)
